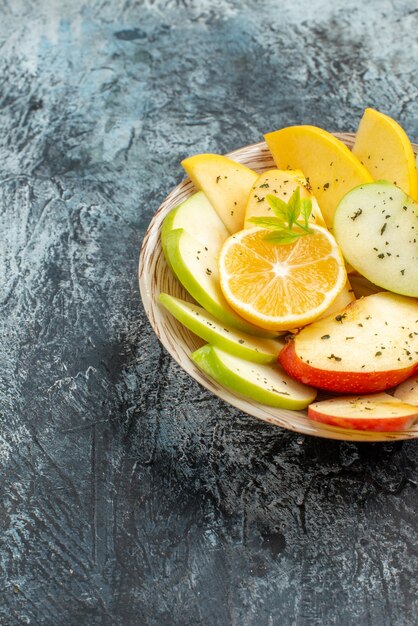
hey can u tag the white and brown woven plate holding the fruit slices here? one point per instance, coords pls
(155, 276)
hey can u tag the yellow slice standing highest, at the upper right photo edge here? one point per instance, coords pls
(385, 150)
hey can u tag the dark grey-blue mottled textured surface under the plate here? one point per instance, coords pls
(129, 495)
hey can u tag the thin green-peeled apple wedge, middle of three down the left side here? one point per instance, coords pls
(204, 325)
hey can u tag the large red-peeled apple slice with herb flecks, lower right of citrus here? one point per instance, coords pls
(371, 345)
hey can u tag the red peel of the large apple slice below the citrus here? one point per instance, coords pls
(340, 381)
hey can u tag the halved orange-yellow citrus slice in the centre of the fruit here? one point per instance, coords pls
(281, 286)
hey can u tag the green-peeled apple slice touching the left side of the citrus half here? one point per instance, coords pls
(197, 270)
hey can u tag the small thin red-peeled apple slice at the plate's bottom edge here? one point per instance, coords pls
(376, 412)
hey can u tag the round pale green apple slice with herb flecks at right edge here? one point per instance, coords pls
(376, 227)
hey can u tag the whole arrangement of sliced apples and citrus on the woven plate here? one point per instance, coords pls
(304, 278)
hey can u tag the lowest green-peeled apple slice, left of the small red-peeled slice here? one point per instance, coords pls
(267, 384)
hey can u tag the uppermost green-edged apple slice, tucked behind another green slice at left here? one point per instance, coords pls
(197, 216)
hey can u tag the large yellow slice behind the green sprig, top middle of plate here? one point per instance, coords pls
(331, 169)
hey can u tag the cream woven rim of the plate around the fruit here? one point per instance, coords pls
(180, 192)
